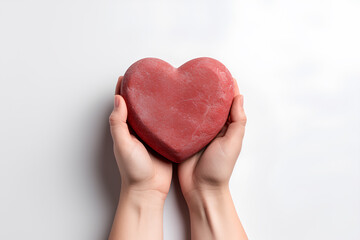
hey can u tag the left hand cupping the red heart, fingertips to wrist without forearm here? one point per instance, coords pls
(141, 169)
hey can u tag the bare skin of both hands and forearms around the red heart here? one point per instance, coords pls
(146, 178)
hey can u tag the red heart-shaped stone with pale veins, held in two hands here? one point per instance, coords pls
(177, 111)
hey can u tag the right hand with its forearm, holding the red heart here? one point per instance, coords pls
(204, 180)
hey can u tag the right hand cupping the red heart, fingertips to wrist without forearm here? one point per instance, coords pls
(211, 168)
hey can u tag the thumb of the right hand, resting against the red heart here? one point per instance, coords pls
(236, 129)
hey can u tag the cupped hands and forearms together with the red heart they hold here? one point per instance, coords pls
(192, 115)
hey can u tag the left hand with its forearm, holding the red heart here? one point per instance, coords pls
(145, 181)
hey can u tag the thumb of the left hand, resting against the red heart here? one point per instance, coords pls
(118, 127)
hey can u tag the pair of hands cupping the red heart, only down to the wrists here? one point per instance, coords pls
(144, 171)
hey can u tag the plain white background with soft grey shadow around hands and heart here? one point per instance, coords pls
(296, 62)
